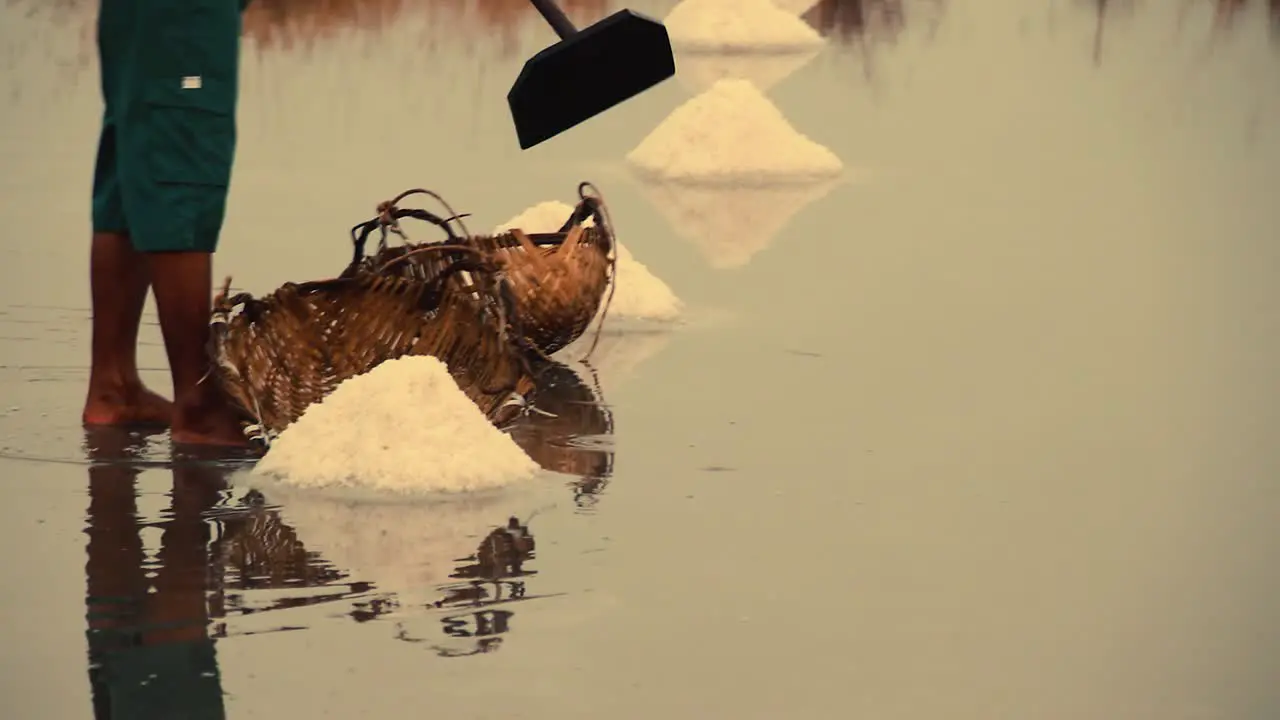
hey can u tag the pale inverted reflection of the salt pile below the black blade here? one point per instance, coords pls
(732, 225)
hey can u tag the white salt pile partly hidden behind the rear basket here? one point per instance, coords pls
(639, 293)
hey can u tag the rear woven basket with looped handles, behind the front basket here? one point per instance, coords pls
(557, 280)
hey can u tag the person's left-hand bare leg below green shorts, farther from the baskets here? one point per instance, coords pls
(118, 282)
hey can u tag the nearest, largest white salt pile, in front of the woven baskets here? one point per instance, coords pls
(403, 427)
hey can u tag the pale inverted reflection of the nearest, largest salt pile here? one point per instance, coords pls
(408, 549)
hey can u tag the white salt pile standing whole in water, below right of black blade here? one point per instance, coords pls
(733, 135)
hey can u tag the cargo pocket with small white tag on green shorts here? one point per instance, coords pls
(191, 131)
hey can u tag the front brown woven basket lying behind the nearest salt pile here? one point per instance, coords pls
(282, 353)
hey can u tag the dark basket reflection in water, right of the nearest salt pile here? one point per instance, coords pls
(566, 409)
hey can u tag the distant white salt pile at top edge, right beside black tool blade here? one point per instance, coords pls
(738, 26)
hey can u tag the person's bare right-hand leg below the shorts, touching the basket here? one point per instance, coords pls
(184, 289)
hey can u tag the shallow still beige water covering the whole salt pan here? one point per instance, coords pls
(988, 430)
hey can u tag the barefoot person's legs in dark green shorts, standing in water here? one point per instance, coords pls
(166, 153)
